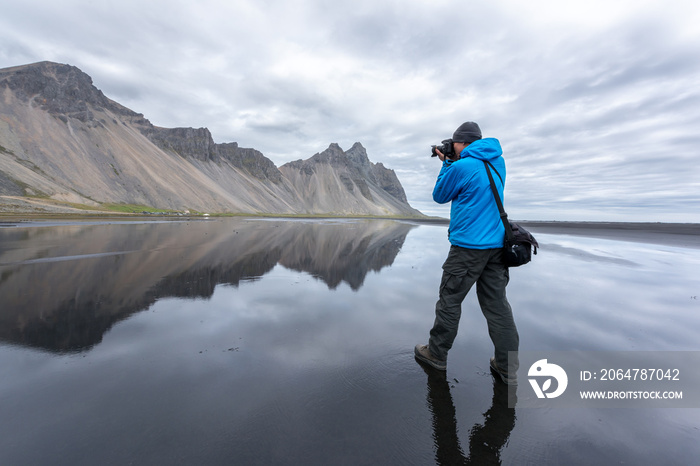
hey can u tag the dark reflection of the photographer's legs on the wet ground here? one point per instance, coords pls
(485, 440)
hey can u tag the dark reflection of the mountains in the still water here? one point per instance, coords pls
(62, 287)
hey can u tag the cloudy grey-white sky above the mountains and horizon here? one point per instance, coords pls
(596, 103)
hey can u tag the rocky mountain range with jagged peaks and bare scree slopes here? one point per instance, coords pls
(62, 139)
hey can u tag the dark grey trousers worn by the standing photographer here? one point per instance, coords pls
(461, 270)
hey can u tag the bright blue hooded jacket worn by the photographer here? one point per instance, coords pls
(475, 222)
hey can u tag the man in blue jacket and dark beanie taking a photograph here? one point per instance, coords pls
(476, 233)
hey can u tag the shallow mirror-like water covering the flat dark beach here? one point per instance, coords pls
(250, 341)
